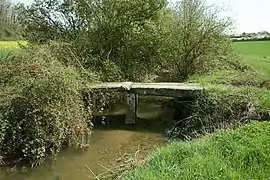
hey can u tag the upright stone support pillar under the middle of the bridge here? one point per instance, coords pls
(131, 114)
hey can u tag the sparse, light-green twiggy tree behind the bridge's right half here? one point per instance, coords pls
(196, 39)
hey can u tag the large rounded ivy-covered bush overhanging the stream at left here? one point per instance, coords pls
(41, 107)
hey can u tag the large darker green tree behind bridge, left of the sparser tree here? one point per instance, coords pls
(121, 33)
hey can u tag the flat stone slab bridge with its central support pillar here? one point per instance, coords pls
(178, 90)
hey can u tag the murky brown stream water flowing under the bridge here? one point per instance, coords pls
(107, 145)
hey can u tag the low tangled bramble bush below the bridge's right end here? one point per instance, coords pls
(220, 108)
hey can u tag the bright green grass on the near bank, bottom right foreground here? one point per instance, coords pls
(239, 154)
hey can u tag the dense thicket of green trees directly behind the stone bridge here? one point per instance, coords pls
(132, 40)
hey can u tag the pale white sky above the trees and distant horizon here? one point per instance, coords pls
(249, 15)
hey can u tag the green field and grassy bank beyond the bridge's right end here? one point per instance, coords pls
(254, 74)
